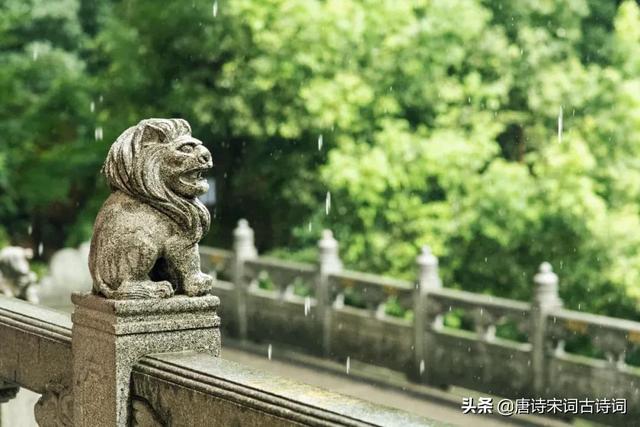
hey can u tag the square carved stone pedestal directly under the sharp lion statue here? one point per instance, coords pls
(110, 336)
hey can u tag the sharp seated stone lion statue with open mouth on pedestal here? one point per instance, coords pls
(145, 237)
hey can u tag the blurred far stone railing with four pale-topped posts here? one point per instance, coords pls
(504, 347)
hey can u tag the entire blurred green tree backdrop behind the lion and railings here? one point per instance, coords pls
(500, 133)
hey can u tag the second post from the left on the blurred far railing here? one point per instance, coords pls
(328, 263)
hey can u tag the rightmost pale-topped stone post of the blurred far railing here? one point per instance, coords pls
(545, 299)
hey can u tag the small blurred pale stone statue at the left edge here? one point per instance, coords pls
(16, 278)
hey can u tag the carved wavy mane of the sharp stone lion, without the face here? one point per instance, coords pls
(133, 167)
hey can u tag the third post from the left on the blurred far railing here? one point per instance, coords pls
(428, 280)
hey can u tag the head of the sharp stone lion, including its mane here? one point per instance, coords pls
(160, 163)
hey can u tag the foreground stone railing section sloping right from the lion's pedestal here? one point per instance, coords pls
(171, 385)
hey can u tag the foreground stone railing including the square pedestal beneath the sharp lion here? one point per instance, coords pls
(101, 369)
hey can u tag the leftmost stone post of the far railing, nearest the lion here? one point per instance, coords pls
(244, 249)
